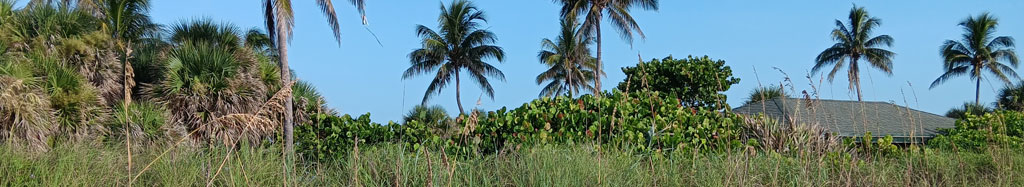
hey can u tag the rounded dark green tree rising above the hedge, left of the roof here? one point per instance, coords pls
(698, 82)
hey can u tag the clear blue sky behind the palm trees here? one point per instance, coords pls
(362, 76)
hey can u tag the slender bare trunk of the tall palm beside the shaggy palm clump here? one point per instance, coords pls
(286, 78)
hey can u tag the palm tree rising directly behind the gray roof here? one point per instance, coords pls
(855, 43)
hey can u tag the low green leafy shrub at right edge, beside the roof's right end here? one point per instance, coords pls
(1003, 128)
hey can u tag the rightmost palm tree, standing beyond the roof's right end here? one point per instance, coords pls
(978, 52)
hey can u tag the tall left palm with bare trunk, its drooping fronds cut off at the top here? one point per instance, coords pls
(280, 21)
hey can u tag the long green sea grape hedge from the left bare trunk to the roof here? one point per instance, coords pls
(641, 121)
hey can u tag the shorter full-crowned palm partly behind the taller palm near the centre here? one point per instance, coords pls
(570, 65)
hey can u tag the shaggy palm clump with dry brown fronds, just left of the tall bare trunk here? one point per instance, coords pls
(215, 112)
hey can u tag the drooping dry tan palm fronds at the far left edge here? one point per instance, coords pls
(26, 119)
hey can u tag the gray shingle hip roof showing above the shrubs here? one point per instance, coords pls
(852, 119)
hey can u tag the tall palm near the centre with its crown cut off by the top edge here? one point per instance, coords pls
(618, 13)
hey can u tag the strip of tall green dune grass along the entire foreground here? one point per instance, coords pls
(538, 166)
